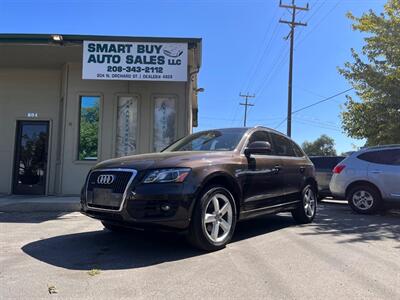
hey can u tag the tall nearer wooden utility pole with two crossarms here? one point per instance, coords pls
(292, 25)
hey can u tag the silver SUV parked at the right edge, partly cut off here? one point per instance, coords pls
(368, 178)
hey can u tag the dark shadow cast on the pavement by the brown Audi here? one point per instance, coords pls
(106, 250)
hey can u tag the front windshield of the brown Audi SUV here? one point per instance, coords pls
(213, 140)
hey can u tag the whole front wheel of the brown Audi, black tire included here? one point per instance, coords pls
(214, 219)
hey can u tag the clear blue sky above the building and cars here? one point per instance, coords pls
(244, 51)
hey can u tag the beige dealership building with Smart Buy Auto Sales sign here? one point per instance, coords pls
(68, 102)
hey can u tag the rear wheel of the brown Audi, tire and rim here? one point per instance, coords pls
(306, 212)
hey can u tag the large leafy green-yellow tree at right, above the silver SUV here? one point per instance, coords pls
(375, 75)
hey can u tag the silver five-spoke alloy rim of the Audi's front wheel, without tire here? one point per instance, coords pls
(218, 217)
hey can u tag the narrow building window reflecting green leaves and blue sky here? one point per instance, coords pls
(88, 136)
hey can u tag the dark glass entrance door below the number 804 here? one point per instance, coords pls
(30, 165)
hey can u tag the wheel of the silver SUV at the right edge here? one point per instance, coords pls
(364, 199)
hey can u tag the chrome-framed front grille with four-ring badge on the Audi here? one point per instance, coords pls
(105, 195)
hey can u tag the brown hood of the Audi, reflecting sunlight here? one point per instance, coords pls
(164, 160)
